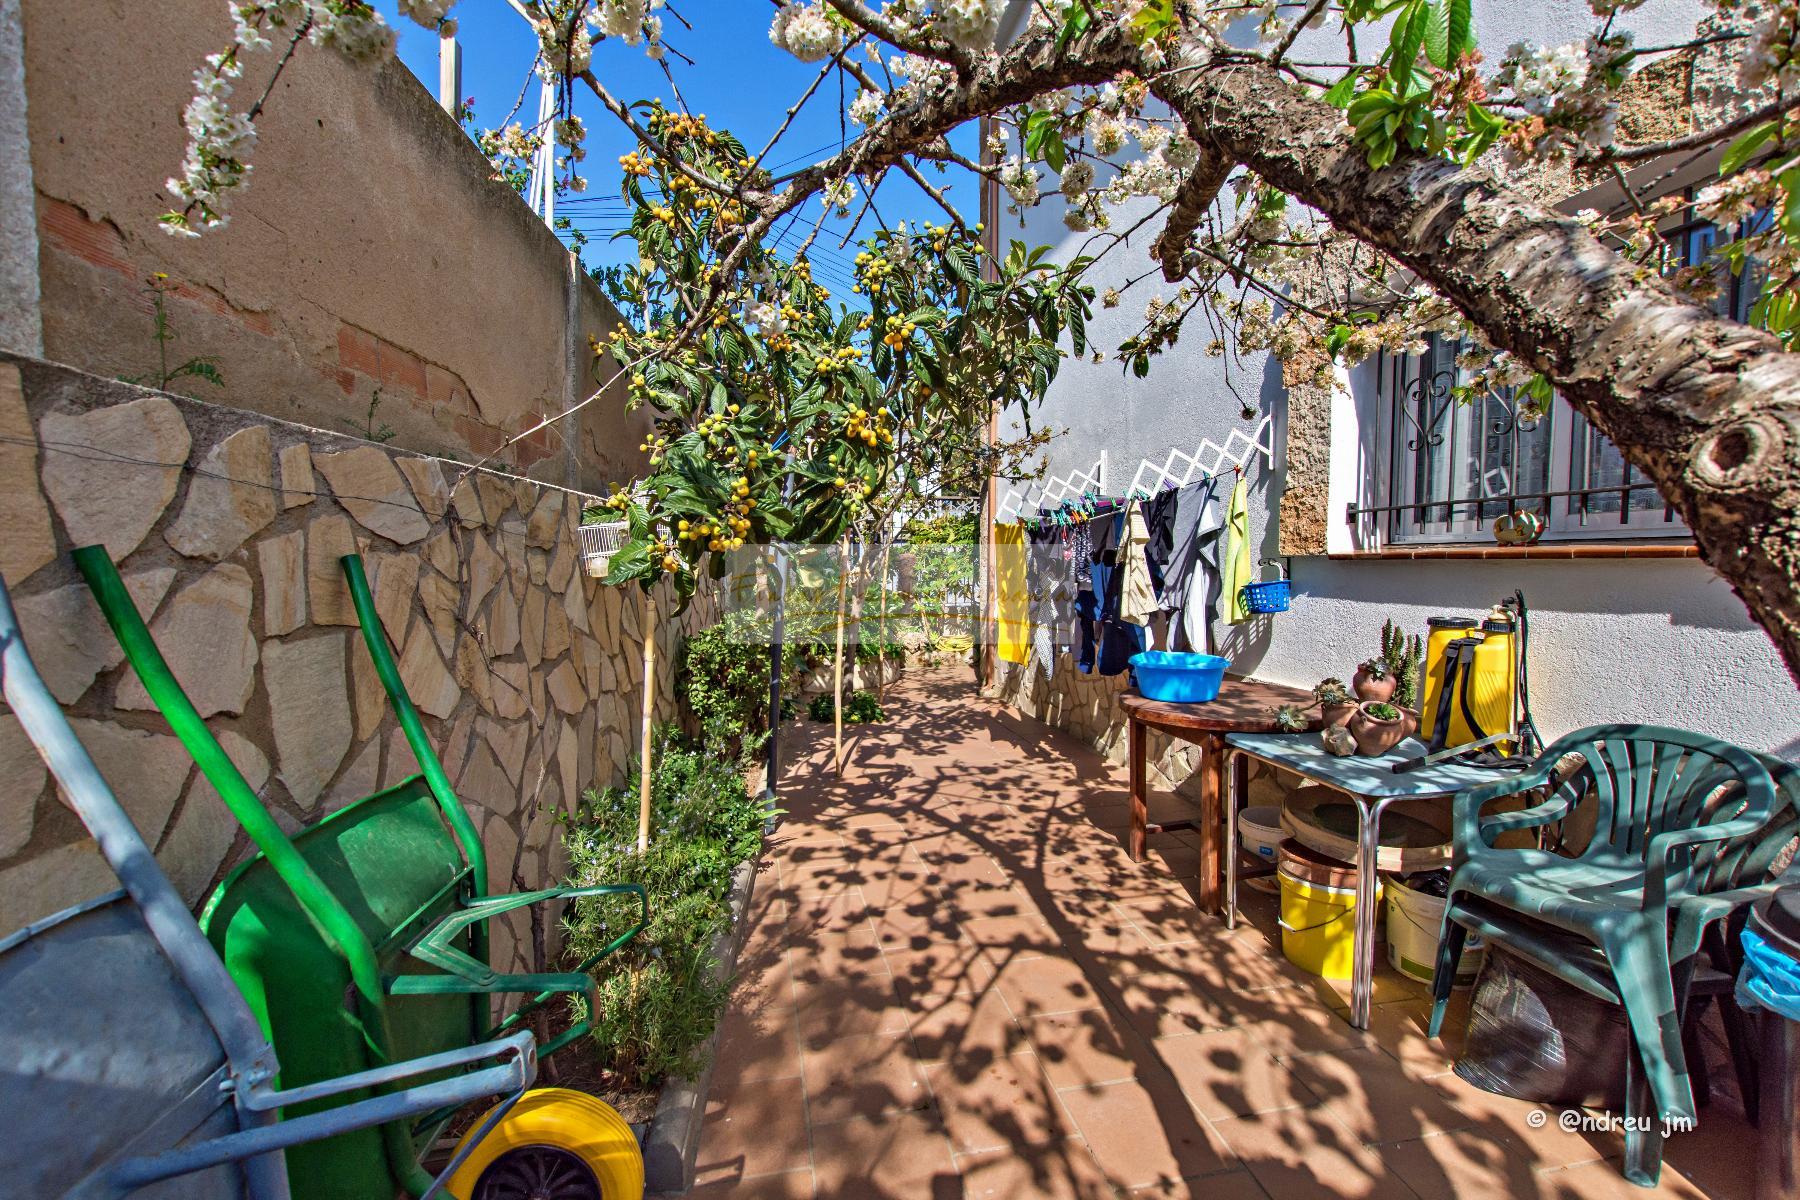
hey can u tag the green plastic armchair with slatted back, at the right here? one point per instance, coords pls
(1686, 830)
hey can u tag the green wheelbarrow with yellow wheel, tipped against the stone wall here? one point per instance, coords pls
(363, 940)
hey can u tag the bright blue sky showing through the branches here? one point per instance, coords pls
(739, 80)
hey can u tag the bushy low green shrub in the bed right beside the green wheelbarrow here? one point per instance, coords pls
(658, 998)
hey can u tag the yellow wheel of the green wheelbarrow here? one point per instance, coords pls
(555, 1145)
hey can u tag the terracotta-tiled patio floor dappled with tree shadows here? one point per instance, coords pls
(958, 985)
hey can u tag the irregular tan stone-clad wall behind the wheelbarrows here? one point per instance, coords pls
(228, 528)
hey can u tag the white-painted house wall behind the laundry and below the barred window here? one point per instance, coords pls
(1630, 640)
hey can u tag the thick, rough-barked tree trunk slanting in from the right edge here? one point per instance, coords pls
(1707, 407)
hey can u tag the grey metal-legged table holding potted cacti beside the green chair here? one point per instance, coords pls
(1372, 787)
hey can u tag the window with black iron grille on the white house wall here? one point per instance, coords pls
(1448, 467)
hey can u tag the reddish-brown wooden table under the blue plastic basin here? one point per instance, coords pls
(1243, 708)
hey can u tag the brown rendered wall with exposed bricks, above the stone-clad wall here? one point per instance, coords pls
(372, 249)
